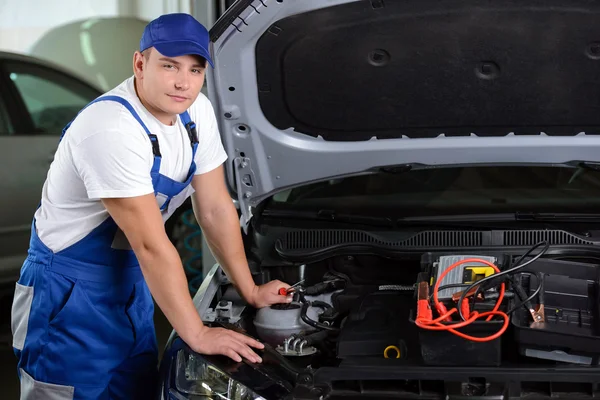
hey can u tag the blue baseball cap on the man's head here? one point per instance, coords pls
(175, 35)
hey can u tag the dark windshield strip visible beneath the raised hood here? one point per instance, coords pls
(458, 190)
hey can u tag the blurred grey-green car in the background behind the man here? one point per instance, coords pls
(37, 99)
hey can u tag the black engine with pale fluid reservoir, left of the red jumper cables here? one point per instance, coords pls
(343, 309)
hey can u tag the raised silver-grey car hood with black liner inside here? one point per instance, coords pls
(306, 90)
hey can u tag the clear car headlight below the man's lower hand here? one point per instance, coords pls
(200, 380)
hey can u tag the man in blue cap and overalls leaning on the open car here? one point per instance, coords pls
(82, 316)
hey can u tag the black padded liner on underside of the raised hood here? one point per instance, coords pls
(420, 68)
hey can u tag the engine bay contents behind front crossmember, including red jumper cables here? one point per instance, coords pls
(346, 304)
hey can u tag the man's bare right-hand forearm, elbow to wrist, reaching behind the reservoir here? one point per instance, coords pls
(221, 228)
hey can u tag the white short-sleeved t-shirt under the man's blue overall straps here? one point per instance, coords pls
(106, 153)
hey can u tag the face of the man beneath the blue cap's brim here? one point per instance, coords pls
(172, 84)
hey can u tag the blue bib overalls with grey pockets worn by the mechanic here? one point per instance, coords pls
(82, 317)
